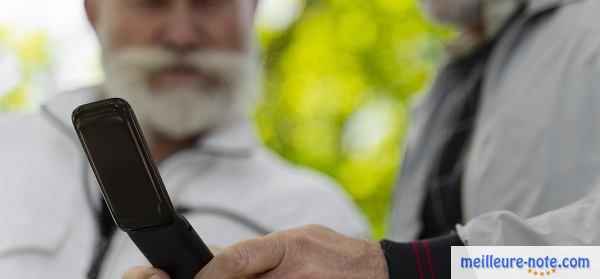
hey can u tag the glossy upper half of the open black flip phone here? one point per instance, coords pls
(117, 152)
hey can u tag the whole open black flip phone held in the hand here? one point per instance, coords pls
(133, 189)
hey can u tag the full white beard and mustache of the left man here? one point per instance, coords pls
(183, 110)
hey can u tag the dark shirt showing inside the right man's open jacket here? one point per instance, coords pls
(442, 207)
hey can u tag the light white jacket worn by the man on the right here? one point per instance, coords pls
(532, 175)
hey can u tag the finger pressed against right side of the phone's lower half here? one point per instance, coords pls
(245, 259)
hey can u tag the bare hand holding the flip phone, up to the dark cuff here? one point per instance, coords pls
(307, 252)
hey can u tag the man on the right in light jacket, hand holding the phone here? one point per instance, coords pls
(504, 150)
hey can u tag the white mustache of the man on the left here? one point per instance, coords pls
(143, 61)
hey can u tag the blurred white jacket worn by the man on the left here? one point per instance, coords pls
(234, 188)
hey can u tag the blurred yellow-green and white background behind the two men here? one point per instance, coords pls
(339, 77)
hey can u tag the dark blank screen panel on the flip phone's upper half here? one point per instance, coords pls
(125, 177)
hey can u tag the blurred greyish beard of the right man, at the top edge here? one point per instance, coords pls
(460, 13)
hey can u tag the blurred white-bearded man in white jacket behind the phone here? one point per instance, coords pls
(189, 68)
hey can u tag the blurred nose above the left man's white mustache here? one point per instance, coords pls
(181, 33)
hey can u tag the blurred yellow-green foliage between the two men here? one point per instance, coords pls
(338, 82)
